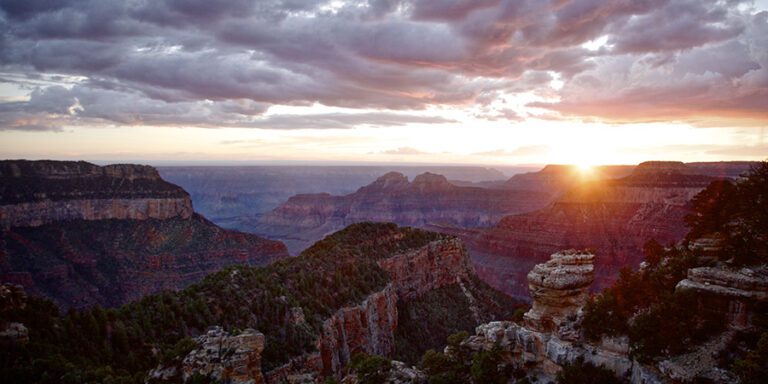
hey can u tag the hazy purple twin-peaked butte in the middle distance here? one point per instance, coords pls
(429, 200)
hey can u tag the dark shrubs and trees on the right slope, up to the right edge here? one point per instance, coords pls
(644, 305)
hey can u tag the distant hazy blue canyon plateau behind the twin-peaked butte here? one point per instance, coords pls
(234, 196)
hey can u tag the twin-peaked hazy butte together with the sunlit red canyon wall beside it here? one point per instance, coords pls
(511, 226)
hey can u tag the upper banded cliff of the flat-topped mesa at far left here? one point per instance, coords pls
(35, 193)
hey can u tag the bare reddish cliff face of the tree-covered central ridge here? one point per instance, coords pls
(370, 326)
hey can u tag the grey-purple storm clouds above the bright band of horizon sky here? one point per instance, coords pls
(195, 62)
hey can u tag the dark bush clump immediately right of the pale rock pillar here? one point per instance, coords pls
(644, 306)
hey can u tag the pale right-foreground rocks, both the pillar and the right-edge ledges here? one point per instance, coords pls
(550, 337)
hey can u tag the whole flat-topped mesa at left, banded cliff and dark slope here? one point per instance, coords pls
(83, 234)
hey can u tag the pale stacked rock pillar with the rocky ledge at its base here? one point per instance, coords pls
(550, 337)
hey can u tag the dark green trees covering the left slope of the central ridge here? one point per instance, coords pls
(97, 345)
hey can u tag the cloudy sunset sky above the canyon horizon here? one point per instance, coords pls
(425, 81)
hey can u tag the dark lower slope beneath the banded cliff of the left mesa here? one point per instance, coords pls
(78, 262)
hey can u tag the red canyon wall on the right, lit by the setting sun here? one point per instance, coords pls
(613, 217)
